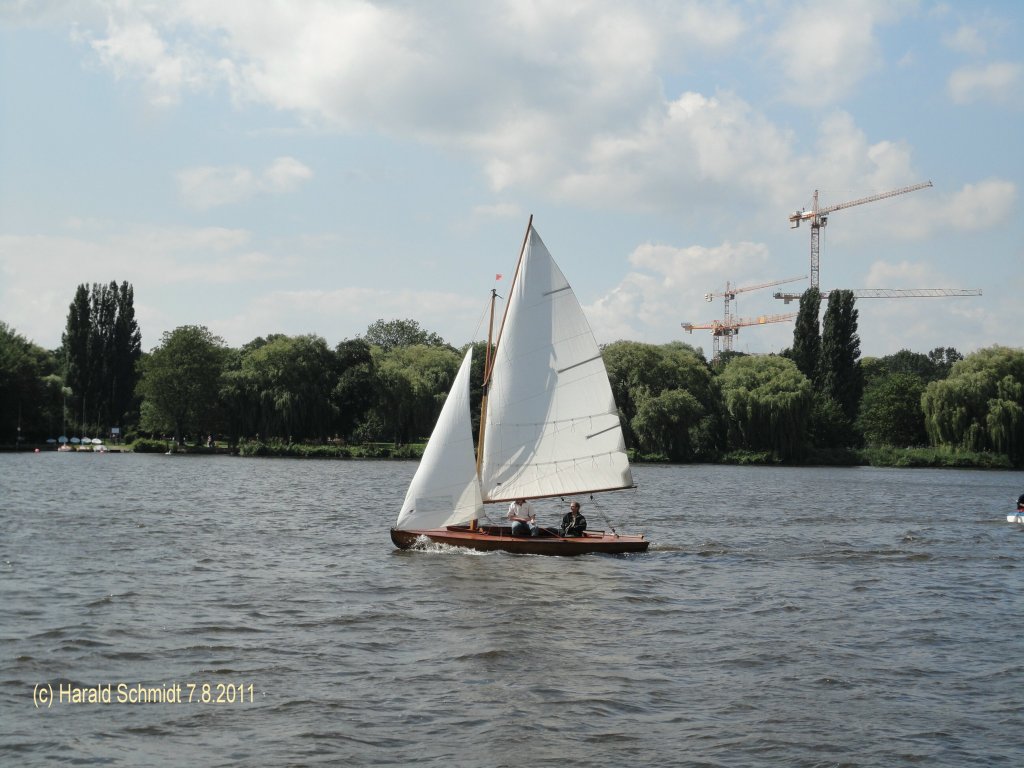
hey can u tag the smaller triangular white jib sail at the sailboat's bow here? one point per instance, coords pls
(446, 490)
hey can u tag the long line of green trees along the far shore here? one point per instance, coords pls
(817, 402)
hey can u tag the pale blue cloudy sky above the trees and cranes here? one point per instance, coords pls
(313, 166)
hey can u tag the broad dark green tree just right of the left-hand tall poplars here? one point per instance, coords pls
(182, 383)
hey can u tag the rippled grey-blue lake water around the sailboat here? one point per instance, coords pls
(785, 617)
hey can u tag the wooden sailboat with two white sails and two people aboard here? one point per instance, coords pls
(549, 428)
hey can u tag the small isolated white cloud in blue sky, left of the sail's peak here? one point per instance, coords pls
(209, 187)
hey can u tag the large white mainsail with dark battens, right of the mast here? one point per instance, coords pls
(553, 428)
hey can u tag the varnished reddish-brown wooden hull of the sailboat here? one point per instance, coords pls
(499, 539)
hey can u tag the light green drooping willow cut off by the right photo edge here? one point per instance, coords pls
(980, 406)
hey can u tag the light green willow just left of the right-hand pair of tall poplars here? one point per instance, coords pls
(767, 401)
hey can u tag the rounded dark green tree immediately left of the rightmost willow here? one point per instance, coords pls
(890, 411)
